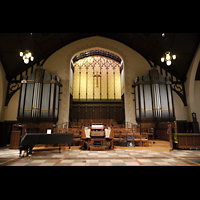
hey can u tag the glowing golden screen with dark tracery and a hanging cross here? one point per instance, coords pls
(96, 77)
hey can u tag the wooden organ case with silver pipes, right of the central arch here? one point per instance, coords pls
(154, 103)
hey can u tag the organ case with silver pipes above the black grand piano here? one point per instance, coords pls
(39, 101)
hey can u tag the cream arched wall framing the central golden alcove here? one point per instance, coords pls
(59, 63)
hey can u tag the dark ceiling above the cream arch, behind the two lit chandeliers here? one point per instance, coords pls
(150, 45)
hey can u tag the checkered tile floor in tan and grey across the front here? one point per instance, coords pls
(117, 157)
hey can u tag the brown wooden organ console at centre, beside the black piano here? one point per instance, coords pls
(97, 137)
